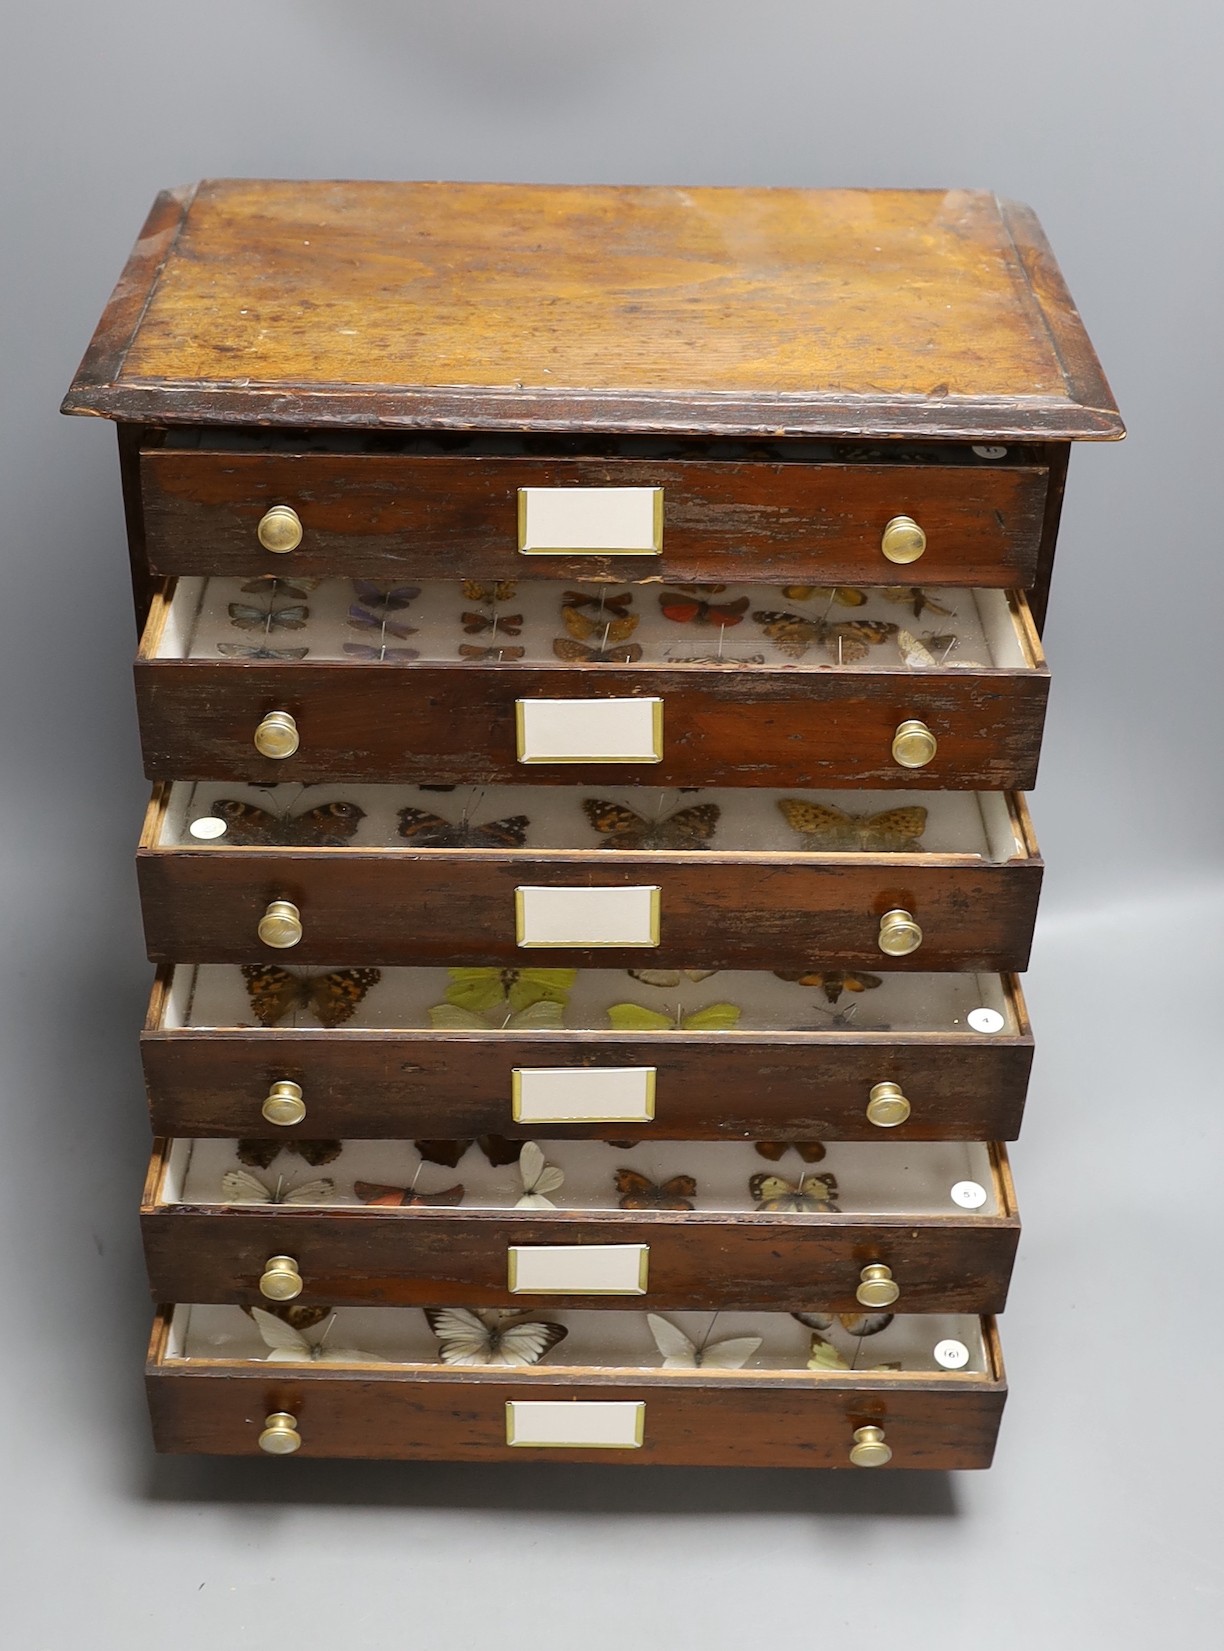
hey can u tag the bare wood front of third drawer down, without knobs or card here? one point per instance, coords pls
(371, 907)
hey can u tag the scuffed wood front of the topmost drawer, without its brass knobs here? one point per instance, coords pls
(394, 516)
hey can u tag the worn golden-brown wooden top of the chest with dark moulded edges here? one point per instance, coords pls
(828, 313)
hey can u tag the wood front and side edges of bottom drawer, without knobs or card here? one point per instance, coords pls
(693, 1419)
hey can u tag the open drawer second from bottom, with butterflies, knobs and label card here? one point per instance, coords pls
(929, 1228)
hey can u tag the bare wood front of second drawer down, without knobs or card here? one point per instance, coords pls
(462, 726)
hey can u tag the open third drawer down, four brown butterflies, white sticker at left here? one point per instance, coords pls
(746, 881)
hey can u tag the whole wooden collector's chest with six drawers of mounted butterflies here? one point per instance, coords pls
(587, 887)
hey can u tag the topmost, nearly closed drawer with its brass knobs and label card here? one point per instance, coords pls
(414, 506)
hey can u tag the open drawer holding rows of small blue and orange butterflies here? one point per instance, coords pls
(473, 683)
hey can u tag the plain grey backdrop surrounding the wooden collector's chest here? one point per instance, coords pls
(1096, 1525)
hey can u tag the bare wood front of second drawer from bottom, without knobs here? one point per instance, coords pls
(425, 1257)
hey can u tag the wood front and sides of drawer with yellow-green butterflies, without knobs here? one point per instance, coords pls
(427, 1086)
